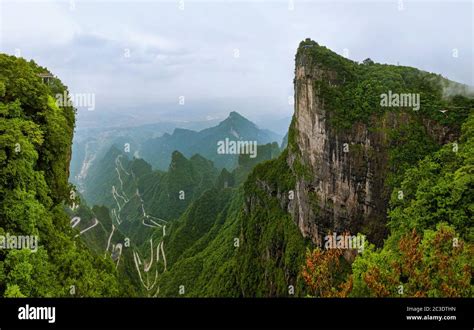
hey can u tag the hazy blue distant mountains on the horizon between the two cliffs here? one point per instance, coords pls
(155, 144)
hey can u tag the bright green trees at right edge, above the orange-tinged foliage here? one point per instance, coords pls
(439, 189)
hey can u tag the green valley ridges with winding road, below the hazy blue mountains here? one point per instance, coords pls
(199, 205)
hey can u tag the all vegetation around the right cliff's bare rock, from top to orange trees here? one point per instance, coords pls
(429, 249)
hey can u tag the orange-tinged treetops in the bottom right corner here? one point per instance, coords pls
(435, 264)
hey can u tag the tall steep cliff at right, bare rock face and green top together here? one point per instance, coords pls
(343, 144)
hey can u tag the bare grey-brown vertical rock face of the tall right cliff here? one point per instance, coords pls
(343, 191)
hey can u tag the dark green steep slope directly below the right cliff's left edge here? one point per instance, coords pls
(272, 250)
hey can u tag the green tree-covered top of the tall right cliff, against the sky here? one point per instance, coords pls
(353, 93)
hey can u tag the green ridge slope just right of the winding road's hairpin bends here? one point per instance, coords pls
(204, 242)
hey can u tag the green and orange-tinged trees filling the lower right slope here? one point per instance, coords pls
(429, 252)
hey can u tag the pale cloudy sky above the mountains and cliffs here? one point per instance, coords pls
(141, 58)
